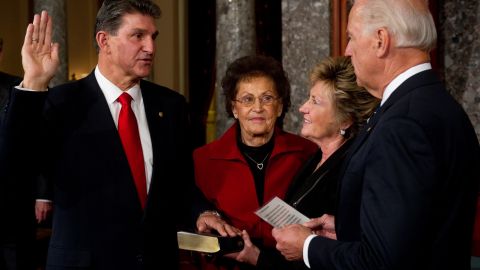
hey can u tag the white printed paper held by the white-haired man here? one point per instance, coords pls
(278, 213)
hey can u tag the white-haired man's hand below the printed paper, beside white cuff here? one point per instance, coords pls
(290, 240)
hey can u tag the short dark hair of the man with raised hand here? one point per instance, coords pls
(110, 14)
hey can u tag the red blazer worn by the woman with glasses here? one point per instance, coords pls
(224, 177)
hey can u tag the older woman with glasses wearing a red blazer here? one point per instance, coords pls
(254, 160)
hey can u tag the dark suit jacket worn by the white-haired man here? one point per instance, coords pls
(407, 197)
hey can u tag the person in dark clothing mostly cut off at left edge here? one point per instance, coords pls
(17, 202)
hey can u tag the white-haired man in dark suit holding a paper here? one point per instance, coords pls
(407, 196)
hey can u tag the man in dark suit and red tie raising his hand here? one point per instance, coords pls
(112, 210)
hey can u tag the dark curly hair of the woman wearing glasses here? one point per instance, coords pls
(255, 66)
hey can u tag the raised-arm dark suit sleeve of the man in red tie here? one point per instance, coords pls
(21, 132)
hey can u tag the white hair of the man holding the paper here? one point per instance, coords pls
(409, 21)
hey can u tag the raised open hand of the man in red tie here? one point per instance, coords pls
(39, 55)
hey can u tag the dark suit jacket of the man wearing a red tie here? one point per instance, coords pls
(98, 222)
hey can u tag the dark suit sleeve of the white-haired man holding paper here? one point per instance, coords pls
(395, 209)
